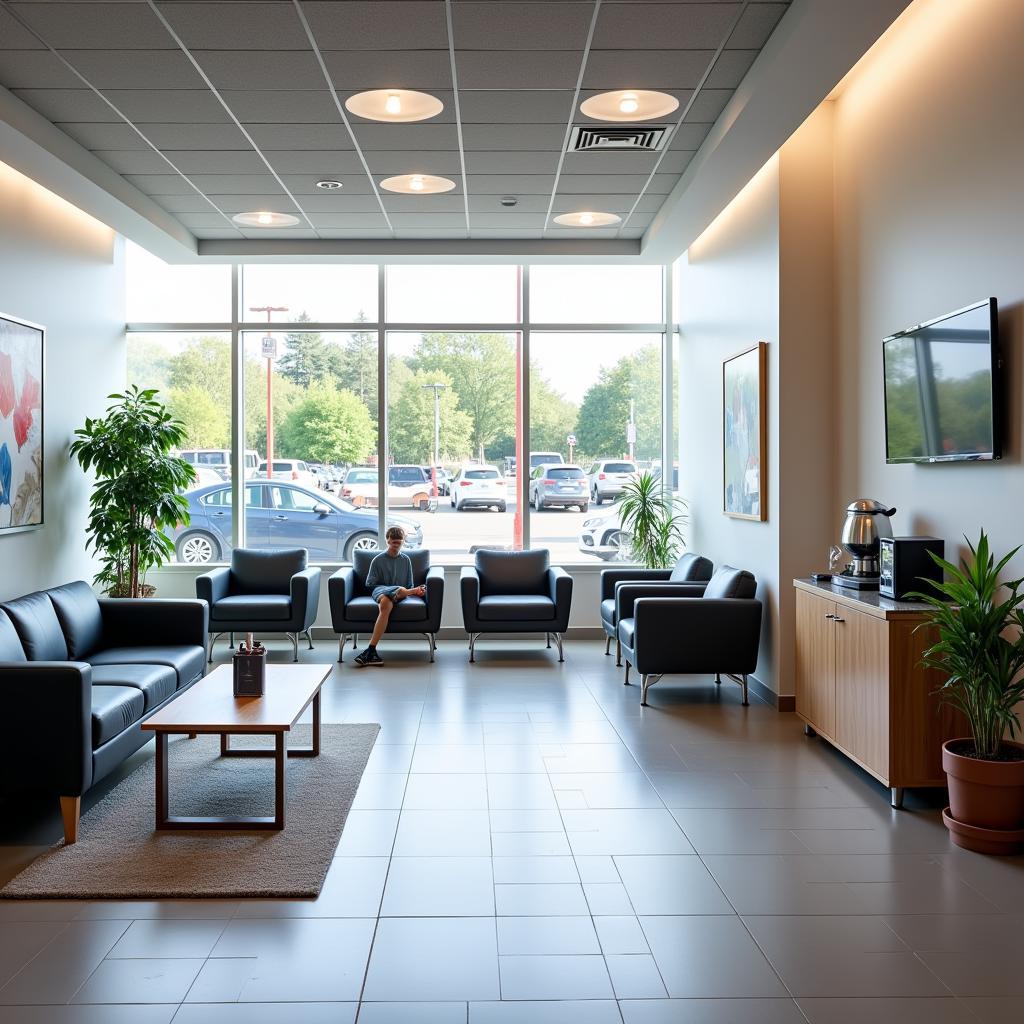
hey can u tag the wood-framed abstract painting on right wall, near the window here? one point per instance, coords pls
(744, 490)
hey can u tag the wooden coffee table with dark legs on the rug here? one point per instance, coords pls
(210, 707)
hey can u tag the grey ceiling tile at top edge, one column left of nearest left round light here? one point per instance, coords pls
(237, 26)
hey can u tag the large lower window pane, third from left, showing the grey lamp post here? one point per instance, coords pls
(452, 416)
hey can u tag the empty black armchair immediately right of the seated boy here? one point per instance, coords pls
(516, 592)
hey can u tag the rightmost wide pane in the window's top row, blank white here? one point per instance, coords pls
(595, 294)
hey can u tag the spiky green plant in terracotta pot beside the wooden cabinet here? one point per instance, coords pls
(980, 652)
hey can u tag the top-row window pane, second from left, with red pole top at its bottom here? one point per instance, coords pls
(332, 293)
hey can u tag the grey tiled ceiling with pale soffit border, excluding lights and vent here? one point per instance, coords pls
(164, 118)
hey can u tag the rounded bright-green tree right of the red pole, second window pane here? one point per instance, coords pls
(327, 425)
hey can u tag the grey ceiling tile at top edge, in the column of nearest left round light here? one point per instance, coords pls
(415, 25)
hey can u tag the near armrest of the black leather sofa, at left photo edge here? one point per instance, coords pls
(50, 745)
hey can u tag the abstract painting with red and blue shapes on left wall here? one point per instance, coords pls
(22, 362)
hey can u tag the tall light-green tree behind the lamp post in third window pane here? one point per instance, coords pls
(482, 368)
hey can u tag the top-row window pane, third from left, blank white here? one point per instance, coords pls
(453, 294)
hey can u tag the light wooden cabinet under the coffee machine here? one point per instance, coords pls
(861, 686)
